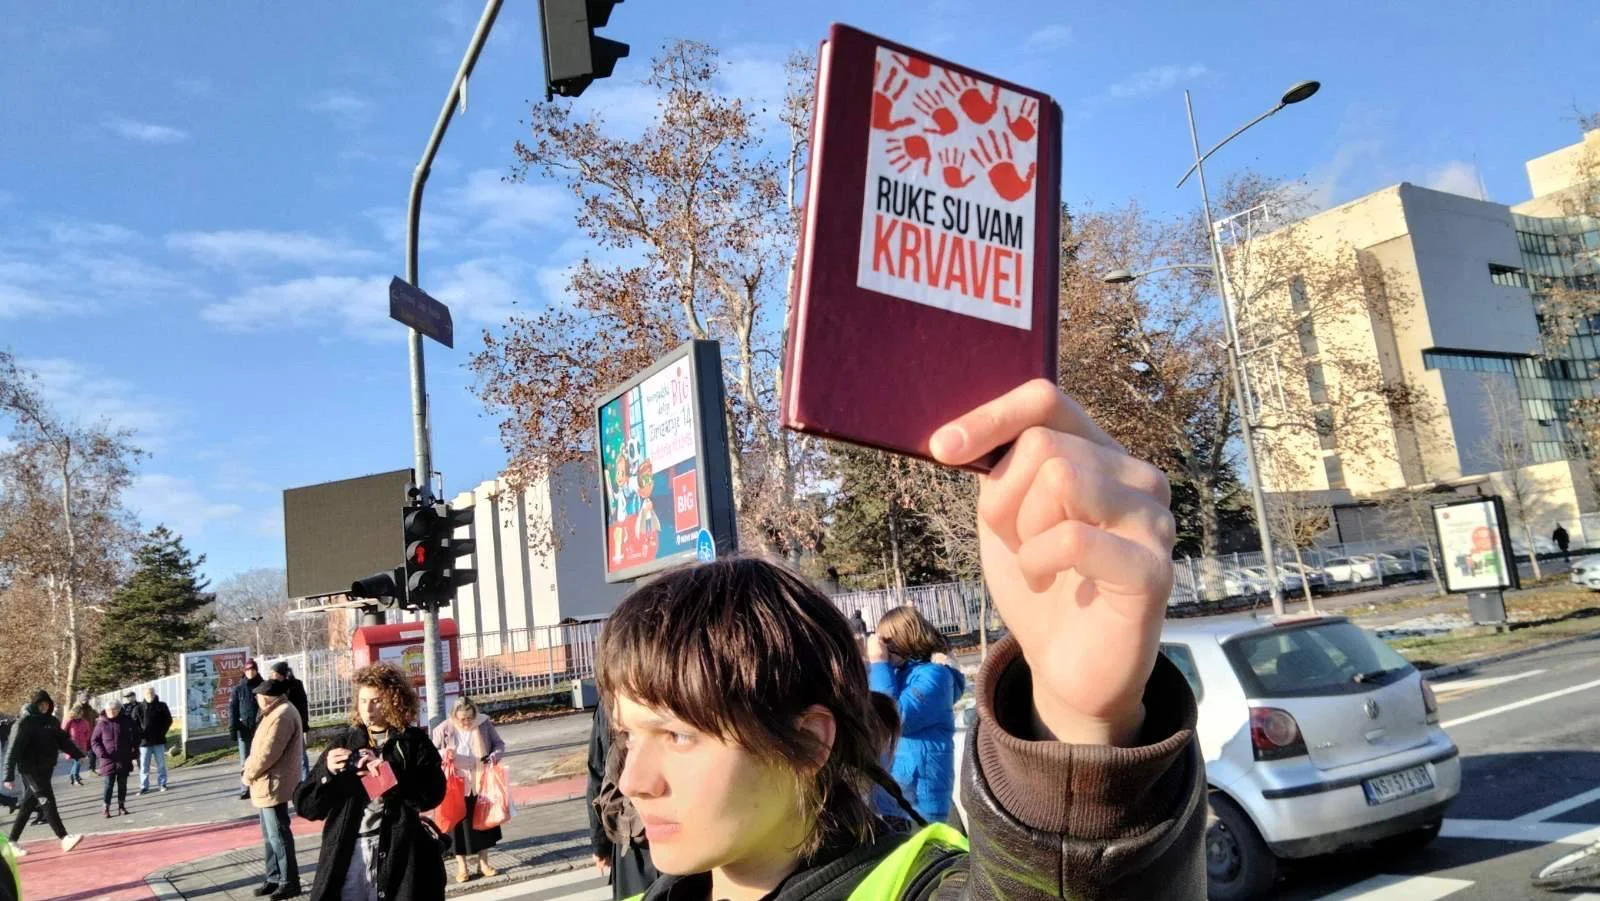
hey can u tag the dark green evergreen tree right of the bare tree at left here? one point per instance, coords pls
(161, 612)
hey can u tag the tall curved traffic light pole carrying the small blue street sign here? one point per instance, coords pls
(420, 438)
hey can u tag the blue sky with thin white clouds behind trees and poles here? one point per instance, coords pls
(201, 204)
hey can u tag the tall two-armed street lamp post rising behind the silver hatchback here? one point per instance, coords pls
(1294, 95)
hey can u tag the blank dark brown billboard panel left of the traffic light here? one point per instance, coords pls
(340, 532)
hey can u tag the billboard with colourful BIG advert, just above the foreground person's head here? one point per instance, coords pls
(665, 476)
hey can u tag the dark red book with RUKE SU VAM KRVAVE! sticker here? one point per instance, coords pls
(929, 258)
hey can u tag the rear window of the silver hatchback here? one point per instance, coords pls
(1321, 659)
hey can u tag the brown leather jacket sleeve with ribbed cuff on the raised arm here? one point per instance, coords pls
(1054, 820)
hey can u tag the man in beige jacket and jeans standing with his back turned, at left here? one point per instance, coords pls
(273, 774)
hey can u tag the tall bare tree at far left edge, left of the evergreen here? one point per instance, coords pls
(63, 529)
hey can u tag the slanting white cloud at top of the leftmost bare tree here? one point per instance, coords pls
(89, 396)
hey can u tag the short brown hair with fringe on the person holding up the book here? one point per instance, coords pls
(740, 649)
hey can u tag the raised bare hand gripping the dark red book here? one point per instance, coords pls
(1076, 540)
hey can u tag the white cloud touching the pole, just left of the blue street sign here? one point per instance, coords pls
(354, 305)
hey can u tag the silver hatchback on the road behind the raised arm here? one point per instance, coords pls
(1316, 737)
